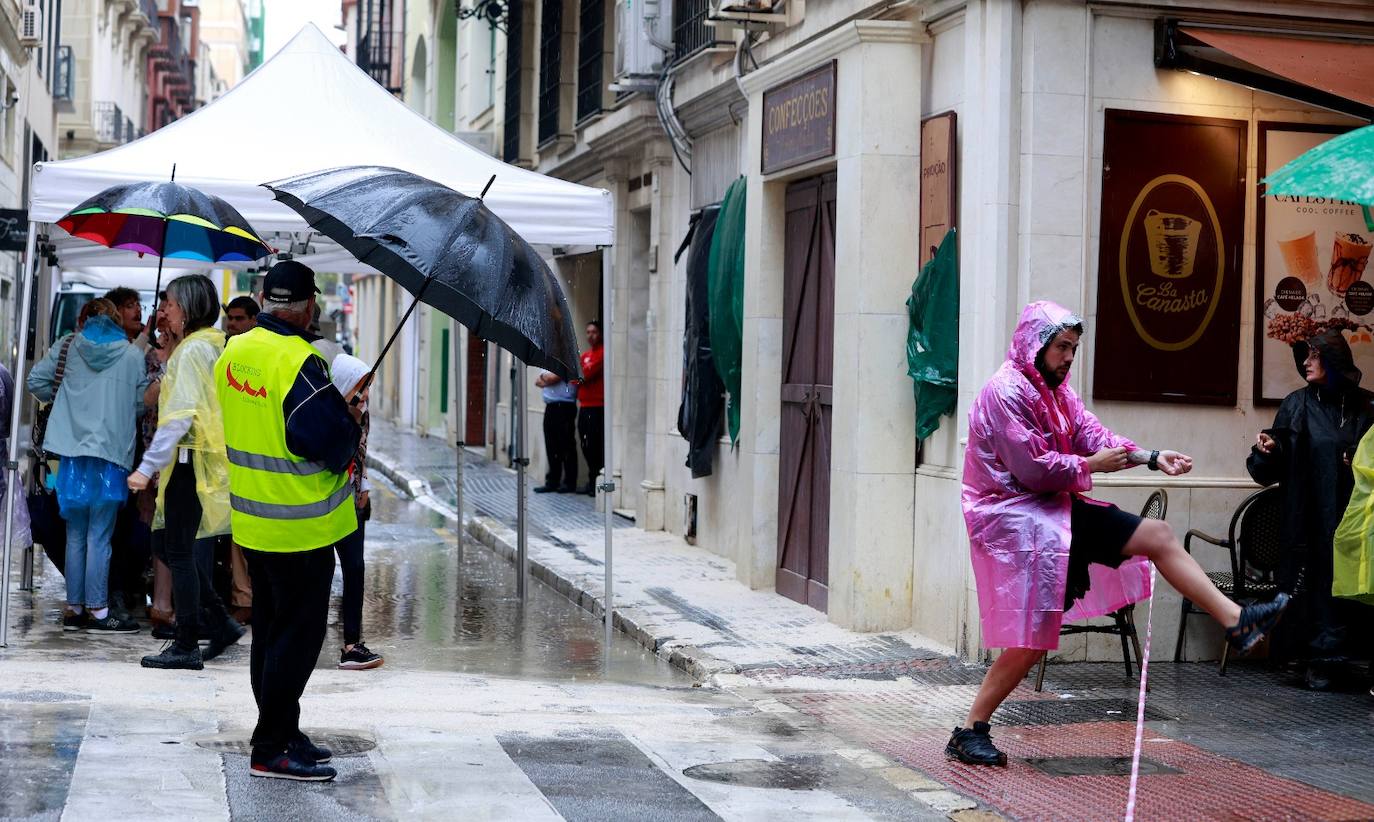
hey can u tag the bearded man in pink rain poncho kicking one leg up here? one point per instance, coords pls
(1039, 548)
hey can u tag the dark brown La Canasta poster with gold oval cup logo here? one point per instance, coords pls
(1169, 324)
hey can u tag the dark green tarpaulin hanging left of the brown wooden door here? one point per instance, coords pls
(728, 298)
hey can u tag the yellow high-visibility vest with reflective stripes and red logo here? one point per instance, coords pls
(280, 501)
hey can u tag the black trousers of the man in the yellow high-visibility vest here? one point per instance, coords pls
(291, 615)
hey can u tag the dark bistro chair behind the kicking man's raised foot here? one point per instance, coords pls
(1257, 551)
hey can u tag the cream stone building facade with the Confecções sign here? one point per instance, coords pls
(1030, 83)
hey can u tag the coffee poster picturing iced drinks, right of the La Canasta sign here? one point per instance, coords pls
(1311, 256)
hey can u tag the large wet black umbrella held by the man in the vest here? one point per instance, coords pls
(449, 251)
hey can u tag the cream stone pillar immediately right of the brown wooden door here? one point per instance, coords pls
(873, 435)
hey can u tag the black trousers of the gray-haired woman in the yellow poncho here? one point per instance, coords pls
(190, 560)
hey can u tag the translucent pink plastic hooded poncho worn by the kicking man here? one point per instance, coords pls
(1026, 460)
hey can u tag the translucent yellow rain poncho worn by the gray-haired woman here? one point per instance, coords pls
(189, 392)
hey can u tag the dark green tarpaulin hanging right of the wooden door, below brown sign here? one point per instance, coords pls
(934, 337)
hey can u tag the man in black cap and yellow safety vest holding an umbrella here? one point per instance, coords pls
(291, 438)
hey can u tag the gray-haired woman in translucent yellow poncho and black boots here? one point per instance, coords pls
(194, 490)
